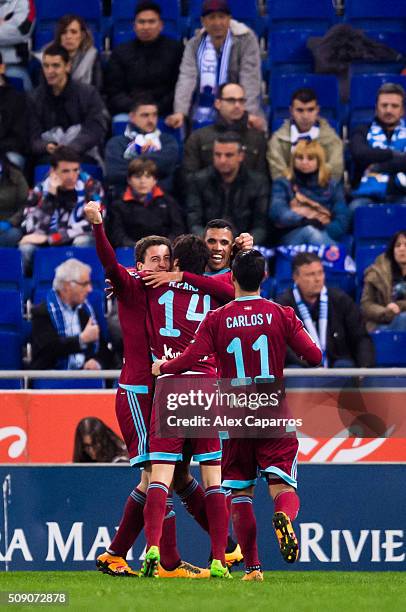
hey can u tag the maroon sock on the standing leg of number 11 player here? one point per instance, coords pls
(245, 527)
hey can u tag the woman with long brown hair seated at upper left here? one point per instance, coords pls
(73, 34)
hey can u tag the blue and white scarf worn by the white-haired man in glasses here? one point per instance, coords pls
(65, 328)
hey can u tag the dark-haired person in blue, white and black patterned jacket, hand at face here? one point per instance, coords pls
(54, 214)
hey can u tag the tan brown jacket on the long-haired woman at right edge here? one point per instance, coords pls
(377, 293)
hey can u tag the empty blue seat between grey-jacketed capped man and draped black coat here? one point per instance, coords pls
(288, 52)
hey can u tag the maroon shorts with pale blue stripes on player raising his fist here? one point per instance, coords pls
(133, 411)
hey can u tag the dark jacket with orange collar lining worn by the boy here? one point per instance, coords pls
(130, 219)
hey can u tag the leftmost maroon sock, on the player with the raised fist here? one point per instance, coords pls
(131, 524)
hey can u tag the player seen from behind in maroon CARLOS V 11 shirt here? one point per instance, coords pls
(249, 336)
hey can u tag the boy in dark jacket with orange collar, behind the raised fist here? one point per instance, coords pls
(144, 208)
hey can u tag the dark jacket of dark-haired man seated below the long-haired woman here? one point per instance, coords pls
(77, 104)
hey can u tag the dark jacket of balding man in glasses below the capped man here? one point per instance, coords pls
(198, 153)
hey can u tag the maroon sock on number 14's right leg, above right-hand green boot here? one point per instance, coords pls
(218, 521)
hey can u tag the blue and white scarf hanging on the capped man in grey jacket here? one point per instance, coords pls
(213, 71)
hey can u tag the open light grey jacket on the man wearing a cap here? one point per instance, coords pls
(244, 68)
